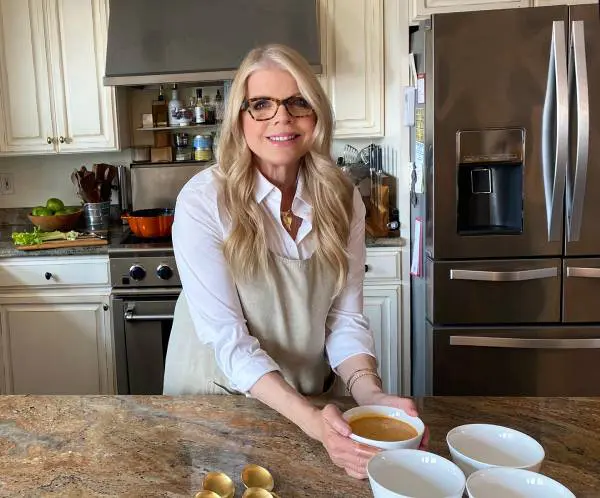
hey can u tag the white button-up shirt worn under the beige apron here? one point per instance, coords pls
(200, 228)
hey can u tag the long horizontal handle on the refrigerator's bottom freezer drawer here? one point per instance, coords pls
(516, 343)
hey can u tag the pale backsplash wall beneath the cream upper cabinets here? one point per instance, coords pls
(36, 178)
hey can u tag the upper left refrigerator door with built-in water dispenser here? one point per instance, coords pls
(490, 73)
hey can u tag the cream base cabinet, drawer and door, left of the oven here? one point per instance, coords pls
(55, 333)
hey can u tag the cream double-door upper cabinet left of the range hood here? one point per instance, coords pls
(52, 58)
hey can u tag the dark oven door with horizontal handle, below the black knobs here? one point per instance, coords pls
(142, 326)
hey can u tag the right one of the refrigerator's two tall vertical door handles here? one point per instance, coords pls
(579, 92)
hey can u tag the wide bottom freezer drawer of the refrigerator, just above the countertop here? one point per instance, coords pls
(524, 361)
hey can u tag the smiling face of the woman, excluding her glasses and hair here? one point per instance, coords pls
(283, 139)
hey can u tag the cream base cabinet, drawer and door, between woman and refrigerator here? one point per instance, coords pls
(382, 306)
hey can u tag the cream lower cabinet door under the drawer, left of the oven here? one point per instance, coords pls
(56, 348)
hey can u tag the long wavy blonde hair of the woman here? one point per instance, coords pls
(246, 247)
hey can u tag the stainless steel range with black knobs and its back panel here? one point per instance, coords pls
(145, 284)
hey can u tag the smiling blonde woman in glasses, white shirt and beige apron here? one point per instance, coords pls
(270, 250)
